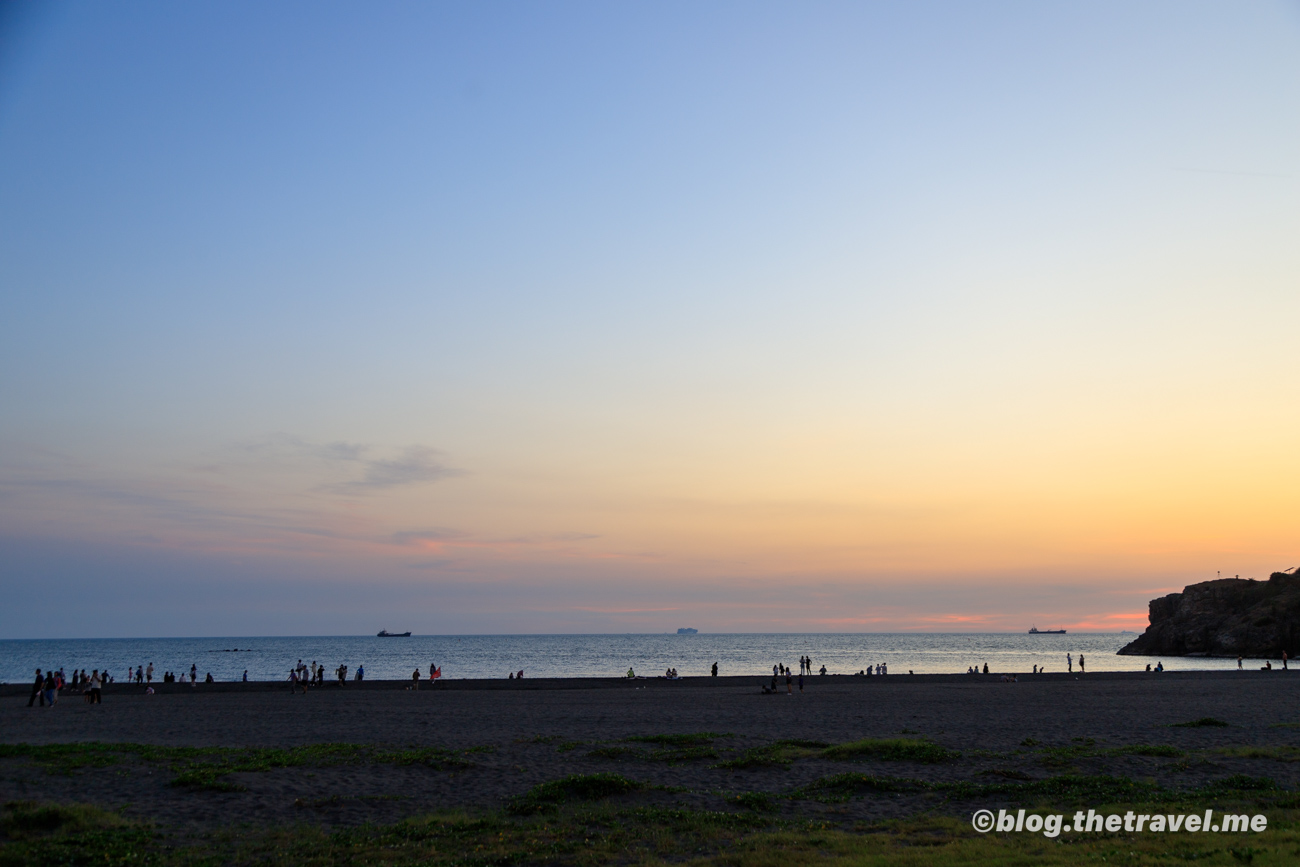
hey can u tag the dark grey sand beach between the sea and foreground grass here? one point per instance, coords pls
(502, 739)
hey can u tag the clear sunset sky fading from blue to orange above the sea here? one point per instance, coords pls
(509, 318)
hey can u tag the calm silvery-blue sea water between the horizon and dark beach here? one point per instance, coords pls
(582, 656)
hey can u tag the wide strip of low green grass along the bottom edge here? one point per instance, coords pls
(583, 827)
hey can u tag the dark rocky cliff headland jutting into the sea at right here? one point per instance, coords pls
(1227, 618)
